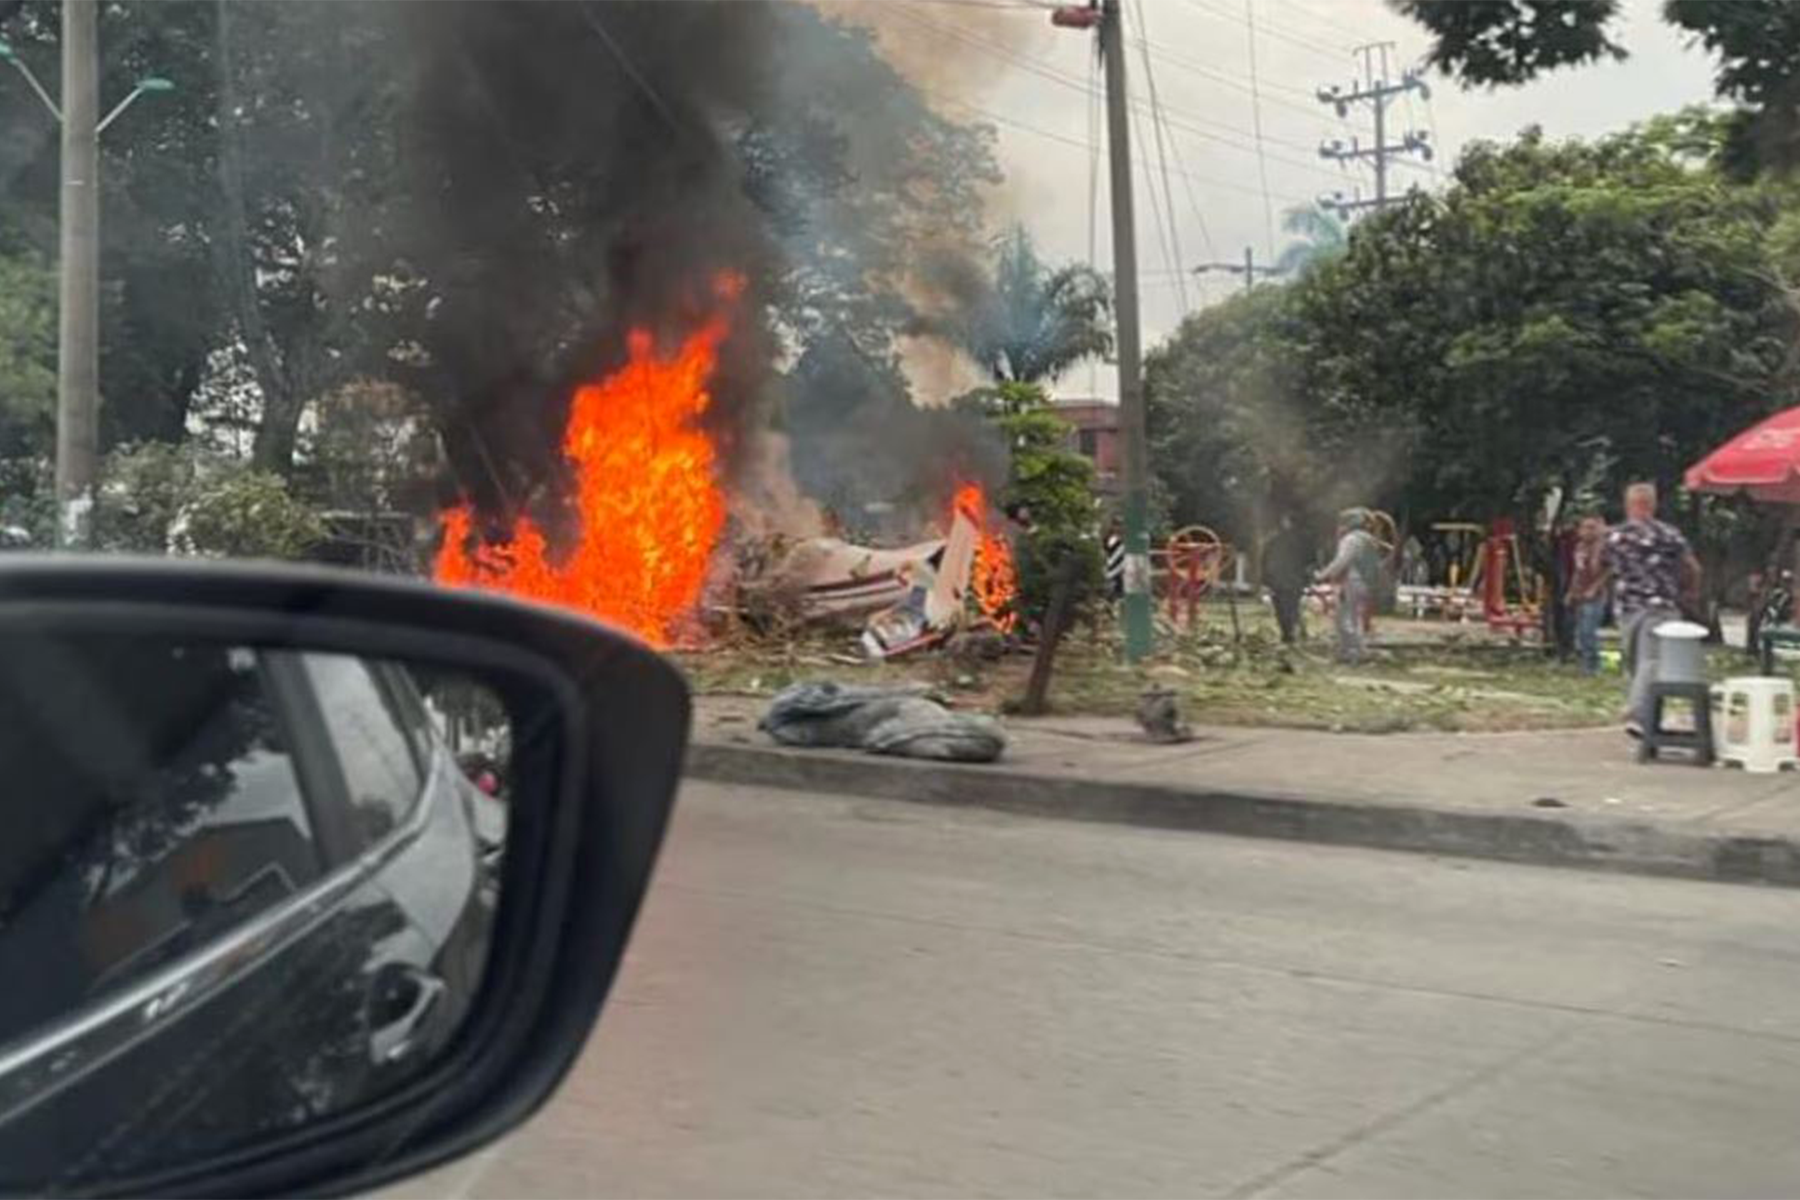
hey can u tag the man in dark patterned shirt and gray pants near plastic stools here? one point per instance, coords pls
(1653, 575)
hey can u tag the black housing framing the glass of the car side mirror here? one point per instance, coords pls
(602, 726)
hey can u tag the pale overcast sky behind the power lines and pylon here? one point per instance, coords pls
(1002, 62)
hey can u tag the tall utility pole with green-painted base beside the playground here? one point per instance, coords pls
(1108, 19)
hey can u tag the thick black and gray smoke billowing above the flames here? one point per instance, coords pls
(579, 168)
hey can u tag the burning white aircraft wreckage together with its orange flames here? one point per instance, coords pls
(654, 535)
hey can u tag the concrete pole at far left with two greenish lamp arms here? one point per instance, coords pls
(78, 359)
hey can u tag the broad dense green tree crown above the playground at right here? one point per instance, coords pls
(1563, 318)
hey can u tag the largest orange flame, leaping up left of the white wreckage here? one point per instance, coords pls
(647, 496)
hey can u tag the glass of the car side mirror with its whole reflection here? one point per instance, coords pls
(242, 890)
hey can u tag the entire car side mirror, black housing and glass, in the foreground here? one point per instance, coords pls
(310, 881)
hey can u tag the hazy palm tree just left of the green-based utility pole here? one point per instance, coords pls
(1030, 323)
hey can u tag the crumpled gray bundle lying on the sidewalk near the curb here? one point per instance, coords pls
(885, 721)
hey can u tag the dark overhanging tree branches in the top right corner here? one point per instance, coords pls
(1507, 42)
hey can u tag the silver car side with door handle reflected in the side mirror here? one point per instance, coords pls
(307, 974)
